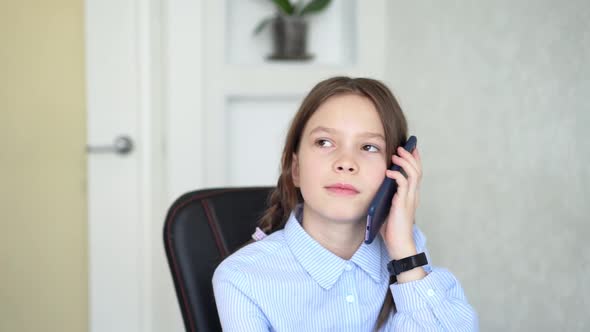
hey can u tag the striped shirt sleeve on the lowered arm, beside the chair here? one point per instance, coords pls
(237, 311)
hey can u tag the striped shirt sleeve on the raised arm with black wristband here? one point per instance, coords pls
(435, 303)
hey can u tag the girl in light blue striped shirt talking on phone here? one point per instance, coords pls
(313, 272)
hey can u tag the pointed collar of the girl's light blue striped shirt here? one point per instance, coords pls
(321, 264)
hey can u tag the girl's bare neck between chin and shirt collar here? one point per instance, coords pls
(342, 238)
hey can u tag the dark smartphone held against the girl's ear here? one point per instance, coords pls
(381, 203)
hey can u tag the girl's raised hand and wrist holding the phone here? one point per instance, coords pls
(397, 231)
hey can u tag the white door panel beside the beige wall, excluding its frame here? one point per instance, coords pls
(113, 178)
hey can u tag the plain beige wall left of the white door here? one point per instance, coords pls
(43, 255)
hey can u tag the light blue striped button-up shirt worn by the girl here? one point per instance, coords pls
(289, 282)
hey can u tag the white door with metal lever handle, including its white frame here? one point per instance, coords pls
(123, 179)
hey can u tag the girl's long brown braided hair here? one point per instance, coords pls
(285, 196)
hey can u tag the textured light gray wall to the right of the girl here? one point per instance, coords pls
(498, 93)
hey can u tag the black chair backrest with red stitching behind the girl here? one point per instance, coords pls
(201, 229)
